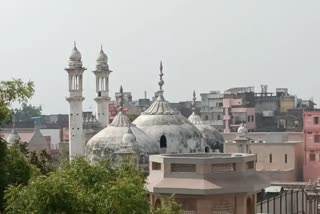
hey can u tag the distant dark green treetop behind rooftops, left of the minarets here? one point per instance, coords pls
(26, 112)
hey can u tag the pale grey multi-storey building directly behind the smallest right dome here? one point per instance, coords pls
(211, 111)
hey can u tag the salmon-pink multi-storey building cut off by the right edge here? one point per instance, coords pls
(311, 127)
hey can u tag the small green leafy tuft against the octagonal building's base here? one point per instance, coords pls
(168, 206)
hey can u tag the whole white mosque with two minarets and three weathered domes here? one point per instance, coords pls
(158, 130)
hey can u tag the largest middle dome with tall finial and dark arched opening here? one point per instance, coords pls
(174, 133)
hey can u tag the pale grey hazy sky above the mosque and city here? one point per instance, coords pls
(204, 45)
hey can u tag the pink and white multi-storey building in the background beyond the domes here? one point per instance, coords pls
(239, 107)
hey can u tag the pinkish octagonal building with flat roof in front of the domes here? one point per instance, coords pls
(206, 183)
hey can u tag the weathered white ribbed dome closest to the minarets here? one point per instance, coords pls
(109, 140)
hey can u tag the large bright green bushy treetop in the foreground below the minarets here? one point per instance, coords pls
(81, 187)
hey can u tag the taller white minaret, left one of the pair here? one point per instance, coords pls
(75, 71)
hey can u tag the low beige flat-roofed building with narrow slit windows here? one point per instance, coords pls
(279, 154)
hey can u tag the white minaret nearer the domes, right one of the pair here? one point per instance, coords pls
(102, 88)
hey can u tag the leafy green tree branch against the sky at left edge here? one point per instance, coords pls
(12, 91)
